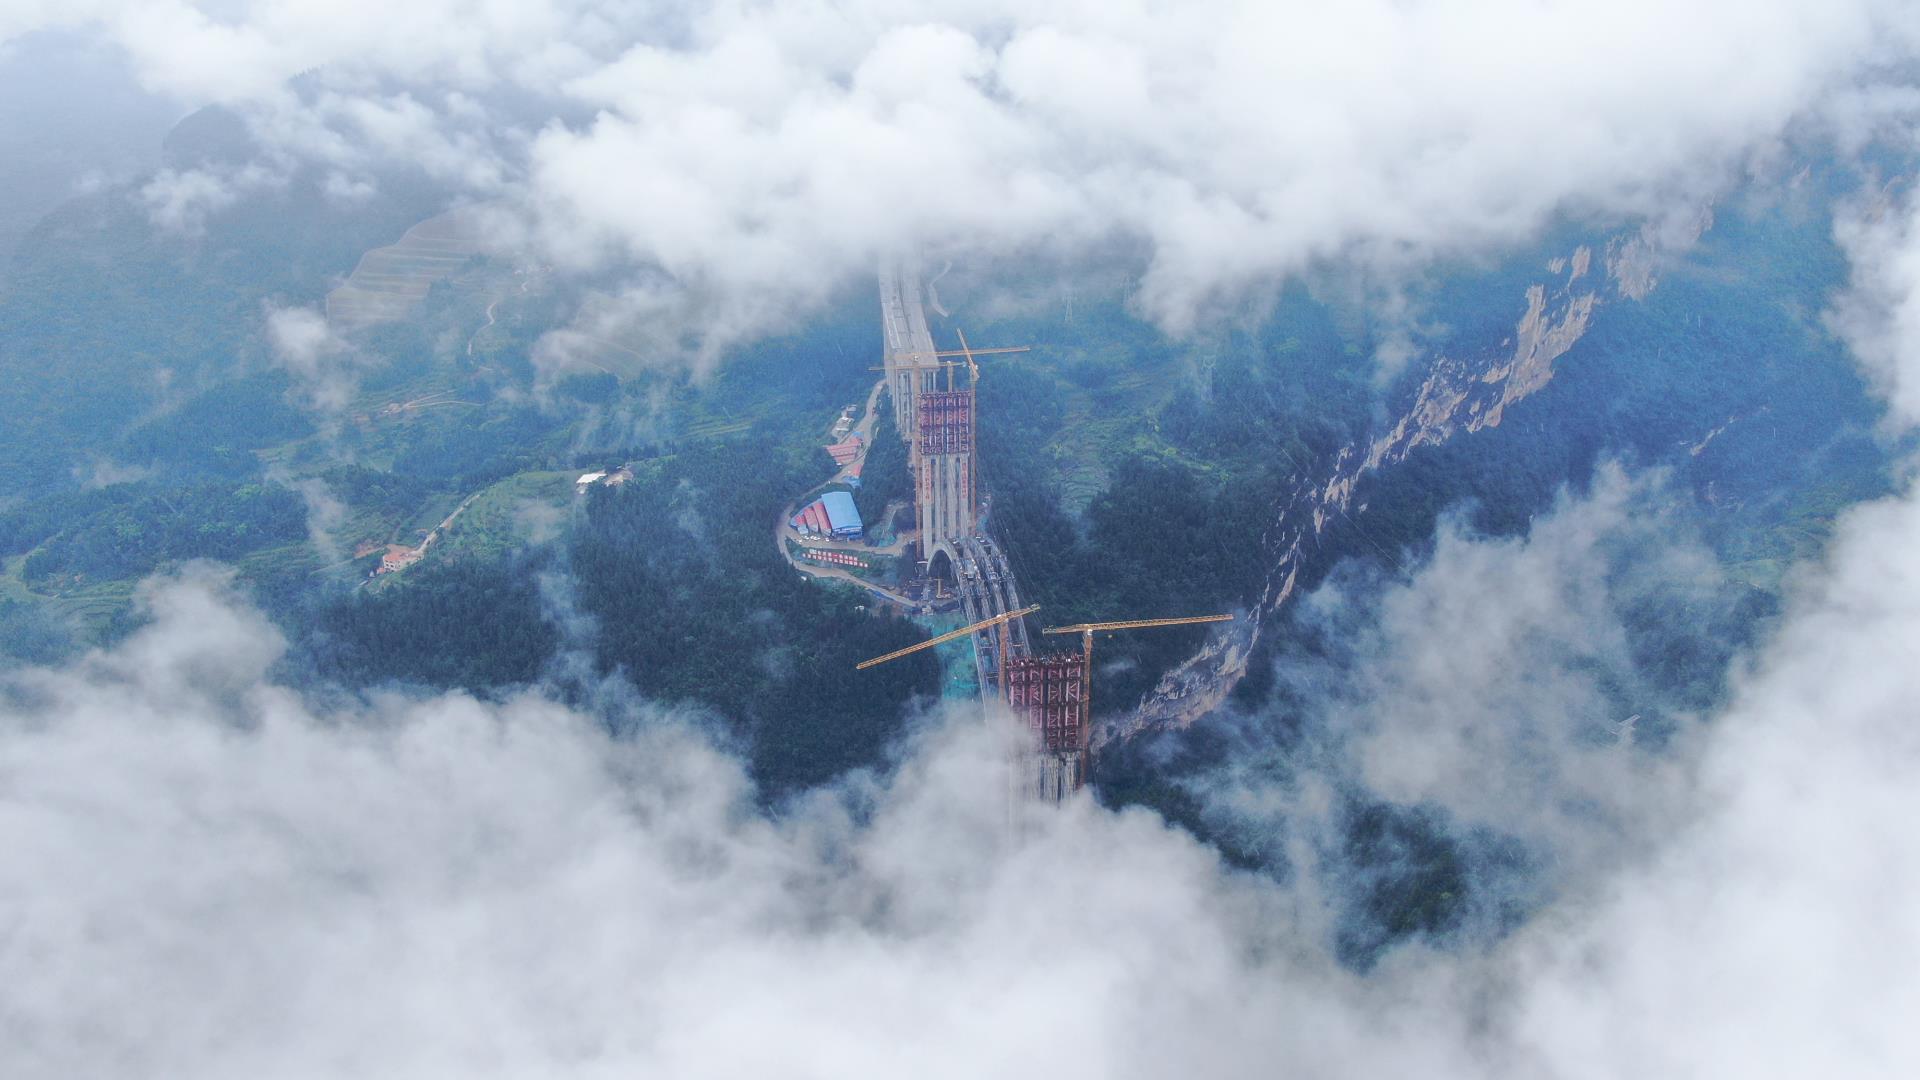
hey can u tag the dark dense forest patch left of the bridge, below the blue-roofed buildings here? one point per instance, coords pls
(692, 602)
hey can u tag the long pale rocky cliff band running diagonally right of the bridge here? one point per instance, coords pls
(1458, 397)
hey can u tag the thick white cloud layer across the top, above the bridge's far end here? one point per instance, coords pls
(757, 155)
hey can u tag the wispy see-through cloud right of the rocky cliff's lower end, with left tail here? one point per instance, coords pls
(1512, 685)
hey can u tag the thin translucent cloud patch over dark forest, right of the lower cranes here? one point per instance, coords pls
(1499, 683)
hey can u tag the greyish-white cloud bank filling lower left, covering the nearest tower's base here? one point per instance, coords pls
(206, 877)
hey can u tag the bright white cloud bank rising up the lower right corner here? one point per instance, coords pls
(1785, 912)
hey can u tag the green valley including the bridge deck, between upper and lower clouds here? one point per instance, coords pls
(1107, 472)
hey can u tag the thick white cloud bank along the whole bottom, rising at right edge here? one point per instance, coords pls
(210, 875)
